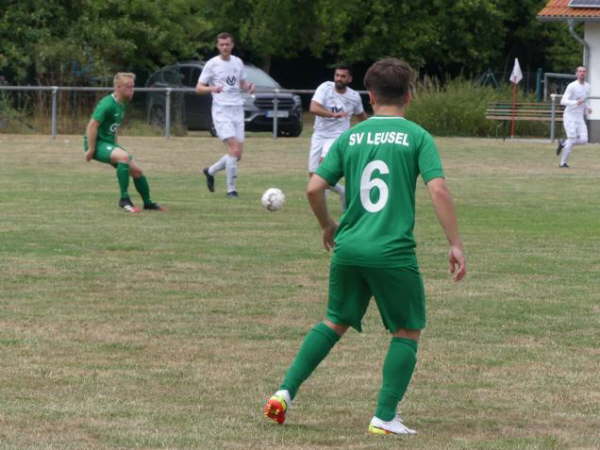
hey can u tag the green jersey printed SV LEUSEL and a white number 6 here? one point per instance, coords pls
(381, 159)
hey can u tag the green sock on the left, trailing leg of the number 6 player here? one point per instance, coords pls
(317, 344)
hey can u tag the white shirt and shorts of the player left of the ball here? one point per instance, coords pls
(228, 105)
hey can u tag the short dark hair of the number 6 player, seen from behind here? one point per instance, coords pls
(390, 79)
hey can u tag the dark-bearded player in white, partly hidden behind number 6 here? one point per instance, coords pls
(333, 104)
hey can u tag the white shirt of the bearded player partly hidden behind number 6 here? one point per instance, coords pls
(349, 102)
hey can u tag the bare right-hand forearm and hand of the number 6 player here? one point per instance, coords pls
(444, 210)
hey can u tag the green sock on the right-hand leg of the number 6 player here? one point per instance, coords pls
(398, 368)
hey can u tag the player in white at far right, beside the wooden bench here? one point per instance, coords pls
(576, 109)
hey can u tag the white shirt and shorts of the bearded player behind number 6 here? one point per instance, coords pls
(327, 129)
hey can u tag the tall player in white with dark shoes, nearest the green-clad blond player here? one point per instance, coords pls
(224, 76)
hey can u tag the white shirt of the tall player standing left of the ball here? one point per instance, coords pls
(227, 73)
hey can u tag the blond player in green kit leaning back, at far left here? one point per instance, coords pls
(100, 142)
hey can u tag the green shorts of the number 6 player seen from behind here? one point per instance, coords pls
(398, 291)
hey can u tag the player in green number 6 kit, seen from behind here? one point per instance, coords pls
(373, 245)
